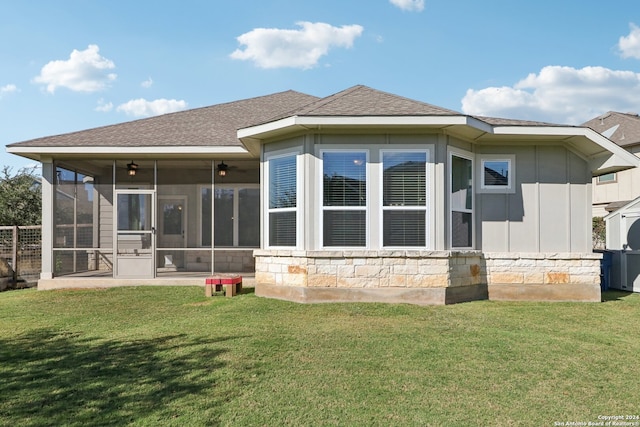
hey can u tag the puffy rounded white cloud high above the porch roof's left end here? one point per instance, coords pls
(84, 71)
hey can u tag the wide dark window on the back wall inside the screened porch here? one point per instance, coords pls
(236, 215)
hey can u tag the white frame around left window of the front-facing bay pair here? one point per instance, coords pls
(320, 199)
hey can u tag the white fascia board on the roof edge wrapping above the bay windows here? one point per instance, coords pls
(319, 121)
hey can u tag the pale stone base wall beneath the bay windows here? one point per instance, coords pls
(421, 277)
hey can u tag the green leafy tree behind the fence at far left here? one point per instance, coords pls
(20, 197)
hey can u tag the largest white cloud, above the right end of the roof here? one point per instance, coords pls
(559, 95)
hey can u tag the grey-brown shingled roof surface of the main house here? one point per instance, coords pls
(217, 125)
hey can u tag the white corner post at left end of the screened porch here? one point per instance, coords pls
(48, 207)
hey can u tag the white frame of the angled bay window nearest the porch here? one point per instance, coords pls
(298, 209)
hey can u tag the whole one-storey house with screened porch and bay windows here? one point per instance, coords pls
(359, 196)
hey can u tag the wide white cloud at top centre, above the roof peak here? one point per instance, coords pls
(276, 48)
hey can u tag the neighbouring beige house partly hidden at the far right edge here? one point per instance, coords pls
(615, 189)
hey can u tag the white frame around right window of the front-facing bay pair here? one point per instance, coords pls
(428, 196)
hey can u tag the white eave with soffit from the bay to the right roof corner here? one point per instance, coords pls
(603, 155)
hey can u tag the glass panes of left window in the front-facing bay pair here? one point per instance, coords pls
(344, 198)
